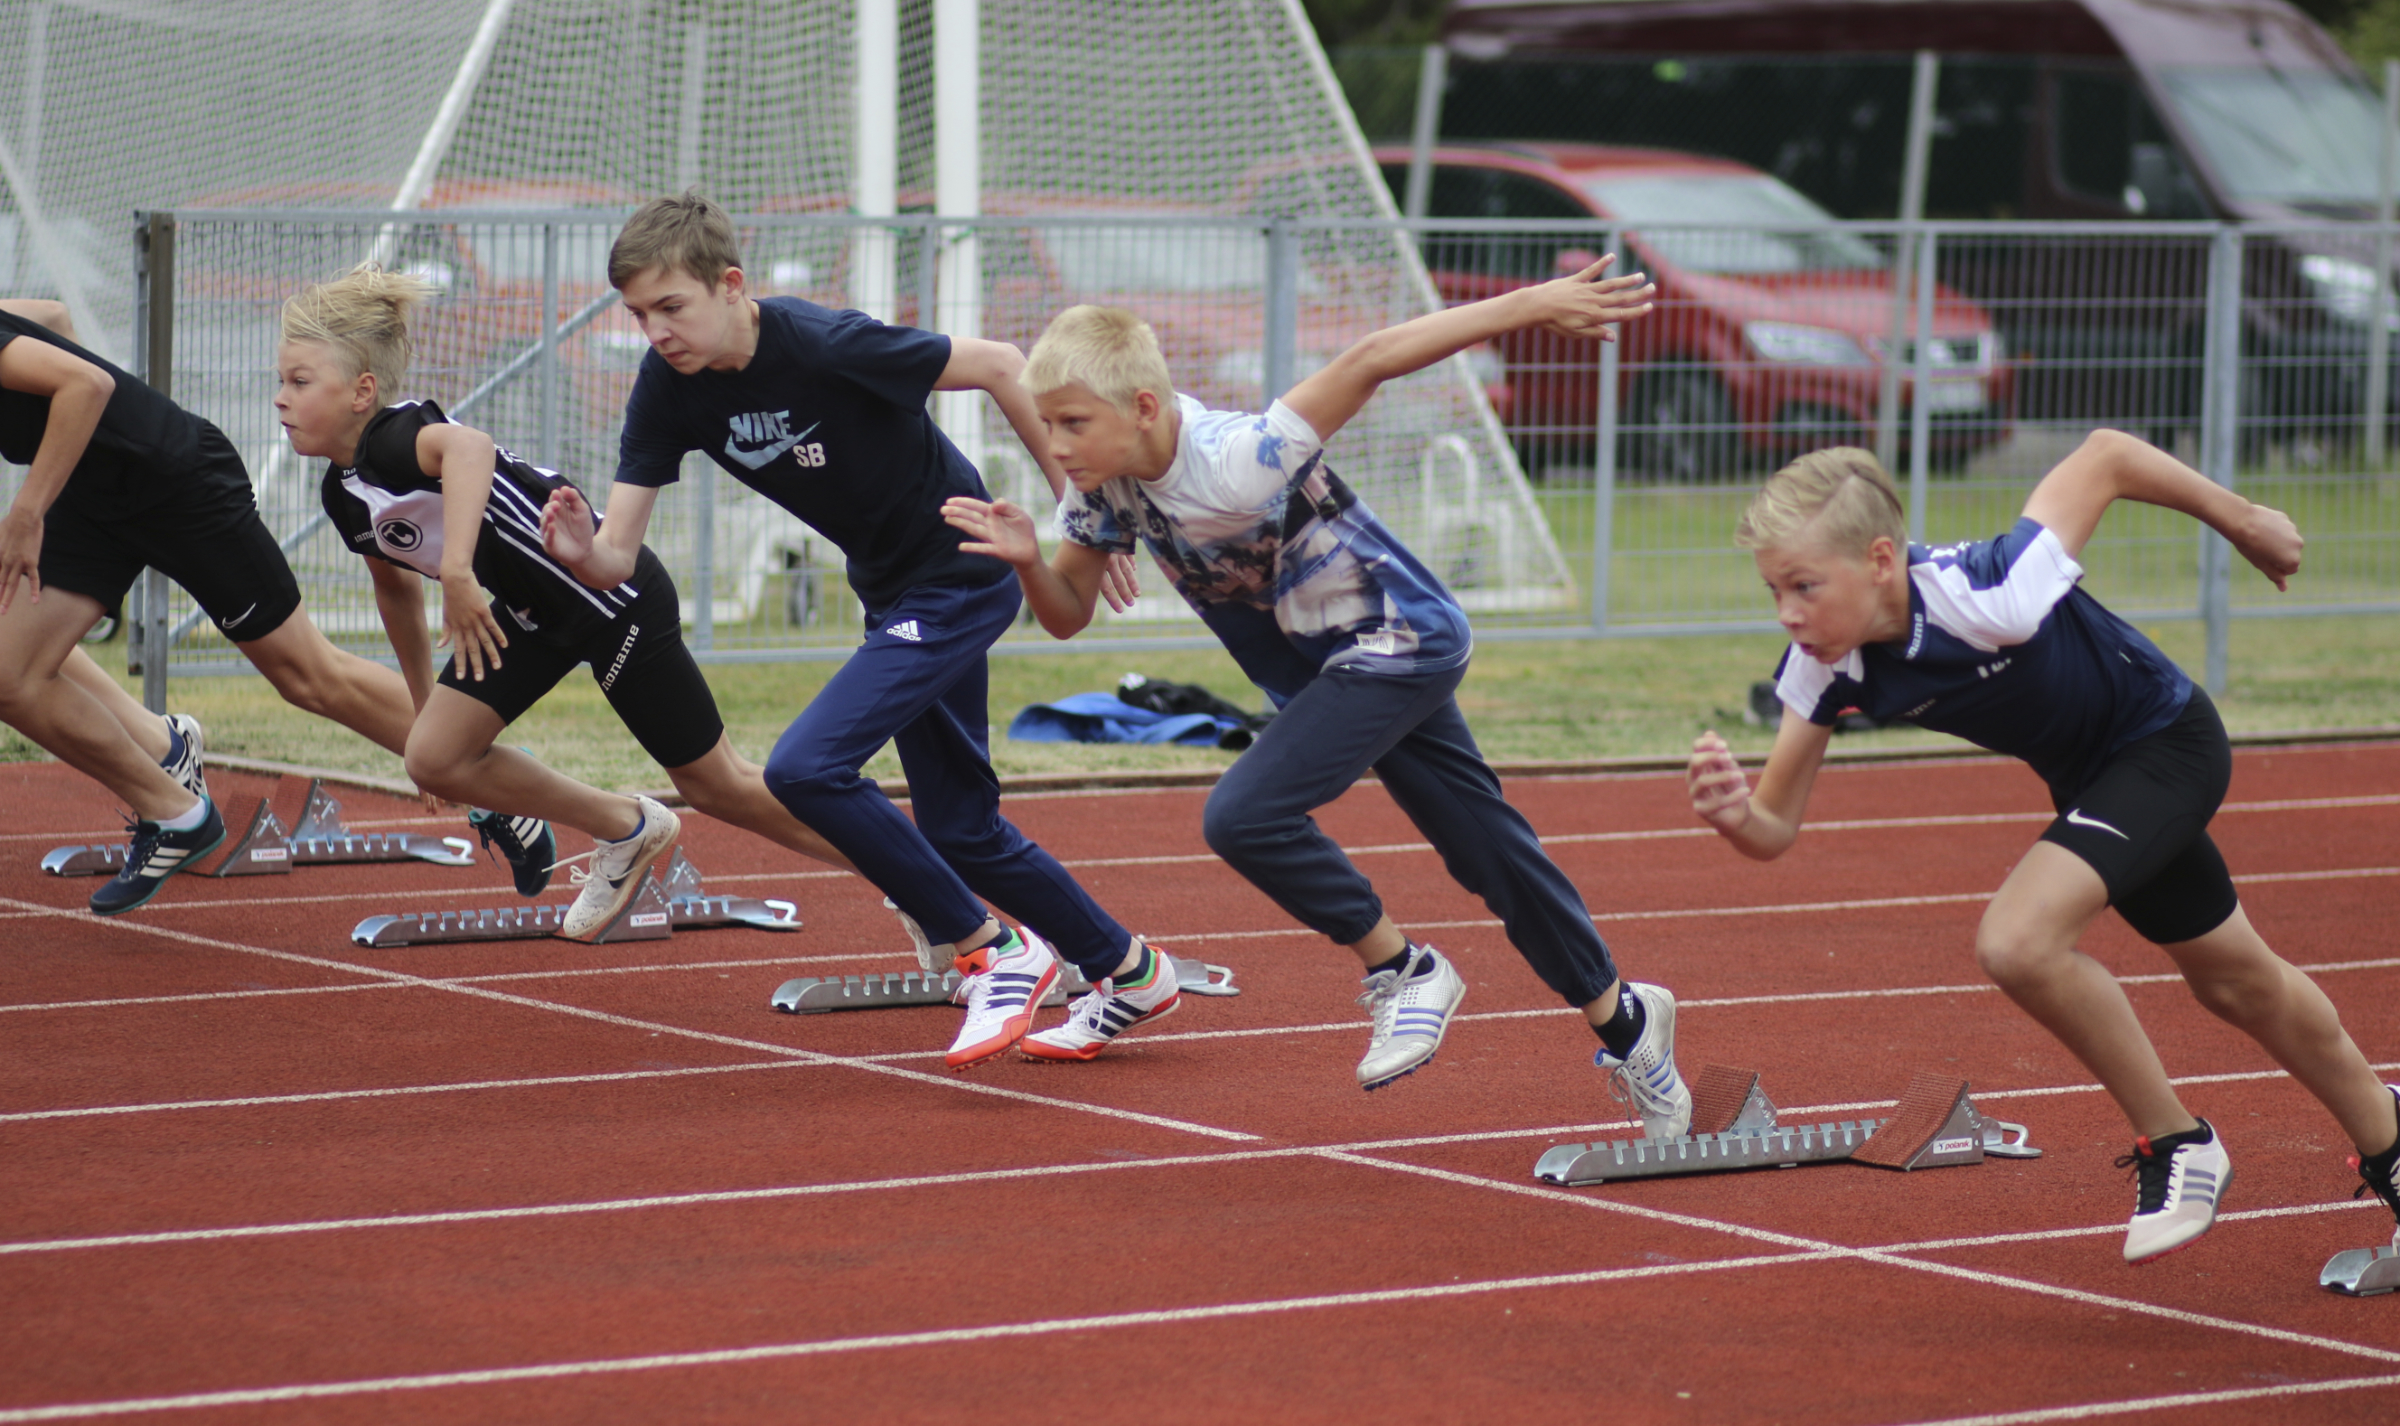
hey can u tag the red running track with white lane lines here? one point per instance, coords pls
(251, 1173)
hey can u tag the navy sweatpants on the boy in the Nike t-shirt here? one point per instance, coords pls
(920, 683)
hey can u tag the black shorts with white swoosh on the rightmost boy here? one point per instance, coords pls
(2144, 827)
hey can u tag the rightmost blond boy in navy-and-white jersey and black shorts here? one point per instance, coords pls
(1993, 642)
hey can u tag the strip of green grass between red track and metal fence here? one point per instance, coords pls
(1528, 702)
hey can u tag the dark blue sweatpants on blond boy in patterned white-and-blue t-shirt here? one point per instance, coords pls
(1408, 729)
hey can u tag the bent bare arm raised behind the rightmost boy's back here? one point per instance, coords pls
(2111, 467)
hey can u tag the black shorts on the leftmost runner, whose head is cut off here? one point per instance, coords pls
(205, 534)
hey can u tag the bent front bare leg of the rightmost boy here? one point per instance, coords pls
(2027, 945)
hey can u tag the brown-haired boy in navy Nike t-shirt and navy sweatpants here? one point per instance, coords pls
(827, 414)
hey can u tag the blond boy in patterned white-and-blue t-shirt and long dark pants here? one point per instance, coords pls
(1357, 642)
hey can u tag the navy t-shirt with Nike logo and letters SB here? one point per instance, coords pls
(827, 421)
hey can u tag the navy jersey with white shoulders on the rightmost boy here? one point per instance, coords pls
(2005, 652)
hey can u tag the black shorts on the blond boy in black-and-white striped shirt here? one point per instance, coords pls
(640, 664)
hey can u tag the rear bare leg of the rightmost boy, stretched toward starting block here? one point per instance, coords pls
(2240, 981)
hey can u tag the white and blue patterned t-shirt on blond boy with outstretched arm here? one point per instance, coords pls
(1249, 517)
